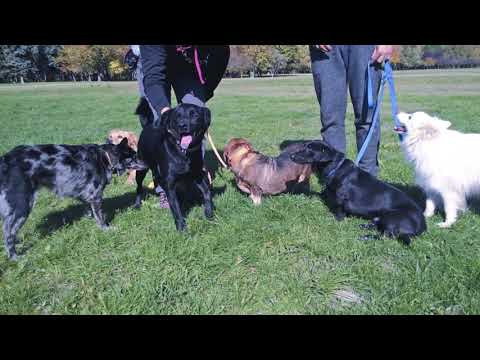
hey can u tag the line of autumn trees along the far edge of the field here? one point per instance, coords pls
(32, 63)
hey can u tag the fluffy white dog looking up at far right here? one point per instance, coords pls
(446, 162)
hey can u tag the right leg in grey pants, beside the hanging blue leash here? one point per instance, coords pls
(359, 59)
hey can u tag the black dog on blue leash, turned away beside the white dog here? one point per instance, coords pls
(350, 190)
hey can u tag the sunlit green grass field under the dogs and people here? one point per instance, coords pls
(288, 256)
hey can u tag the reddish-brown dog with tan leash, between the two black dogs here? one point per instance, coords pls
(258, 175)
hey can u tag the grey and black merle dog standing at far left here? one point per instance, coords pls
(78, 171)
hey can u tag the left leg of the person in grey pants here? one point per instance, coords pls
(330, 80)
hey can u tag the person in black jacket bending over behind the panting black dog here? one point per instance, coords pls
(193, 72)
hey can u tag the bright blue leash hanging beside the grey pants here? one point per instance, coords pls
(387, 76)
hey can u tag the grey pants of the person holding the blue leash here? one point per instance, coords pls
(345, 68)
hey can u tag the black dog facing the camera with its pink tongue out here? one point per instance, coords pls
(172, 149)
